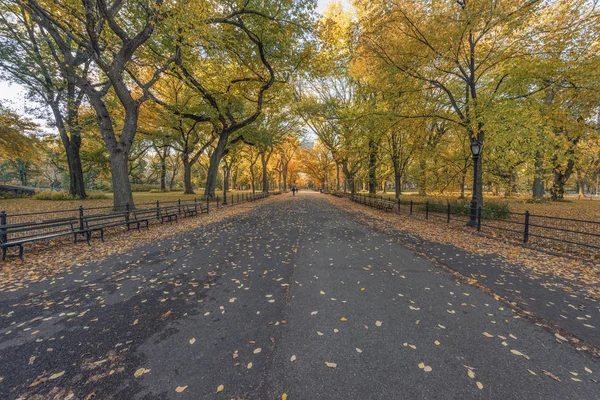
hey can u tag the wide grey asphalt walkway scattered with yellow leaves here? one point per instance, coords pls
(293, 298)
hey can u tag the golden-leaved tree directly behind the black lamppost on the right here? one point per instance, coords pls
(458, 48)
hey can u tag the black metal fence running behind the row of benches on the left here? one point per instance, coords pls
(81, 213)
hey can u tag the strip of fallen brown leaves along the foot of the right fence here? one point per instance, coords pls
(580, 272)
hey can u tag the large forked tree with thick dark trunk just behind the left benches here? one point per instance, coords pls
(95, 43)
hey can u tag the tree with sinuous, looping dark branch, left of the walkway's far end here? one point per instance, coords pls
(233, 58)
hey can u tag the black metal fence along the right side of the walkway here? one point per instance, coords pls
(551, 233)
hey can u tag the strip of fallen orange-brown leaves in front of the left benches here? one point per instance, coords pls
(44, 260)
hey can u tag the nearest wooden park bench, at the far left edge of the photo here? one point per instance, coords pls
(16, 235)
